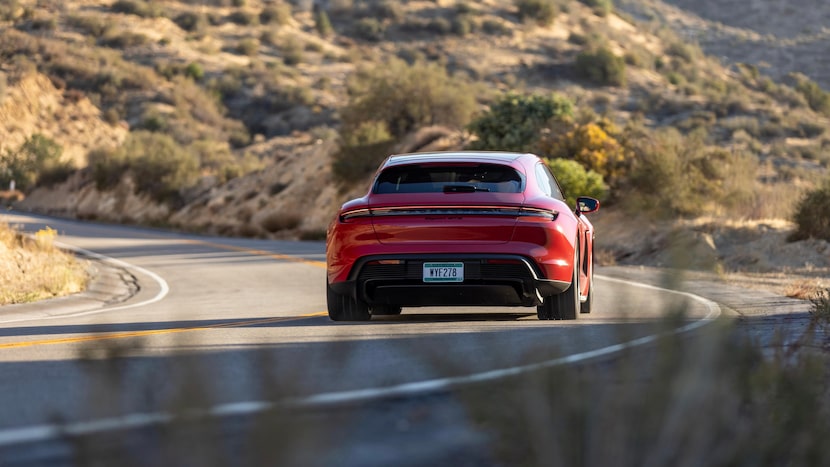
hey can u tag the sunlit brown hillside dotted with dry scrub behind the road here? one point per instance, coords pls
(249, 96)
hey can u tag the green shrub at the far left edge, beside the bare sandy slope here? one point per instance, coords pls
(36, 157)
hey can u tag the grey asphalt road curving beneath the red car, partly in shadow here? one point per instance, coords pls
(229, 326)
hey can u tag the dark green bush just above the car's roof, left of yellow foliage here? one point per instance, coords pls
(514, 122)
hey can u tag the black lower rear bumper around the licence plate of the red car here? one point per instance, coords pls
(490, 280)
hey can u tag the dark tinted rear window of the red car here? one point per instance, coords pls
(448, 178)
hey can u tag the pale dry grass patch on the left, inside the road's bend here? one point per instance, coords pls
(34, 269)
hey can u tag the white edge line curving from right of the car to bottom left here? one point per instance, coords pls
(41, 433)
